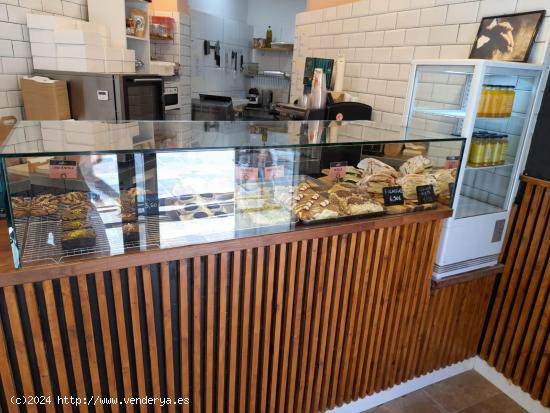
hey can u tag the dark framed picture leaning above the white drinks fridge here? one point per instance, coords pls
(509, 37)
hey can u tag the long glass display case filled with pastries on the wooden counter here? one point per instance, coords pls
(94, 189)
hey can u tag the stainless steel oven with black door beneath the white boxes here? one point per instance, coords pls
(104, 96)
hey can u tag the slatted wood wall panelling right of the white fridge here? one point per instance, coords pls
(517, 337)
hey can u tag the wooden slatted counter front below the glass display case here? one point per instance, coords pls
(296, 322)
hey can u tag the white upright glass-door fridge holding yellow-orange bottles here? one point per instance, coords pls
(493, 105)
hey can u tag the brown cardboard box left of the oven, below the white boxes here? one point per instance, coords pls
(45, 101)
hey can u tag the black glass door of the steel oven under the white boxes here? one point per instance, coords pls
(143, 97)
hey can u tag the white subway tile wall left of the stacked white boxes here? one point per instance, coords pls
(15, 51)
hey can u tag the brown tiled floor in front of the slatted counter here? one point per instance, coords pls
(466, 393)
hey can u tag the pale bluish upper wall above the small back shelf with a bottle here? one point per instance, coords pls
(279, 14)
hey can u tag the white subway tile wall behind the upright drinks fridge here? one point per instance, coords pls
(389, 34)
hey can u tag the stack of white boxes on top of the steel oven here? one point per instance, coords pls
(61, 43)
